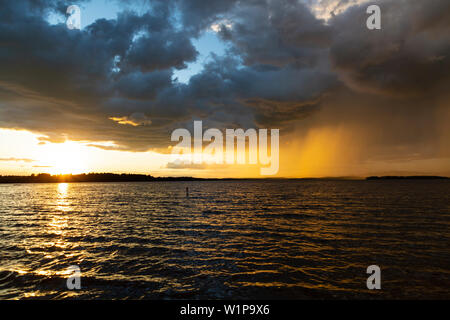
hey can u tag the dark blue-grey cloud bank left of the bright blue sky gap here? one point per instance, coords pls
(59, 82)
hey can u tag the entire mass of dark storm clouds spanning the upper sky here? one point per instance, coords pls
(112, 81)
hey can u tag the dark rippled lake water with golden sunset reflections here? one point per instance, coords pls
(230, 239)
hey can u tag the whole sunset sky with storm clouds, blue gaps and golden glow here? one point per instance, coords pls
(348, 101)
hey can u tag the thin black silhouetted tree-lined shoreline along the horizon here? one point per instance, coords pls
(124, 177)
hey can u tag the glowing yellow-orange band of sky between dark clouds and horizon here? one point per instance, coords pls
(317, 153)
